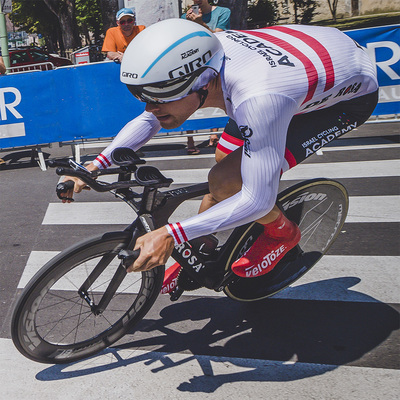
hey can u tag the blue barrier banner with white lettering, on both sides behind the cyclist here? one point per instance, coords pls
(88, 101)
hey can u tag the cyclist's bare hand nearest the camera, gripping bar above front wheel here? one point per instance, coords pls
(155, 249)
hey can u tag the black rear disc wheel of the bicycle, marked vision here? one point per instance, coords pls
(320, 208)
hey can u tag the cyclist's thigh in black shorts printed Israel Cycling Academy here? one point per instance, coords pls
(309, 132)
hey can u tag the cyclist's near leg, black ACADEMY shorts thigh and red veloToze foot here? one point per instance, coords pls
(313, 130)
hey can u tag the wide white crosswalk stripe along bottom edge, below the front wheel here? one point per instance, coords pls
(189, 376)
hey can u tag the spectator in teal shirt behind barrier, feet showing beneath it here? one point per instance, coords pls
(216, 19)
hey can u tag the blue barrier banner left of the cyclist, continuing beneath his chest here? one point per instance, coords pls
(70, 104)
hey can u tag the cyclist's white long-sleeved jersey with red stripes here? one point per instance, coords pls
(269, 76)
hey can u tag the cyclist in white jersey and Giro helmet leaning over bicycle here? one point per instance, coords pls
(290, 89)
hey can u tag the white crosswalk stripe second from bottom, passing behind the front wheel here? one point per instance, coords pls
(365, 268)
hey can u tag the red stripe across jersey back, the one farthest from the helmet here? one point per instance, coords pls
(318, 48)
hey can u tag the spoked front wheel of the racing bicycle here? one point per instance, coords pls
(51, 323)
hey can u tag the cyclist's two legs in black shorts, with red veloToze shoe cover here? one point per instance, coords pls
(306, 134)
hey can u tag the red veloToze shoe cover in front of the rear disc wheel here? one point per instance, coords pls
(278, 238)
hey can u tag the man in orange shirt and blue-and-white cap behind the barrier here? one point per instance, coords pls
(118, 38)
